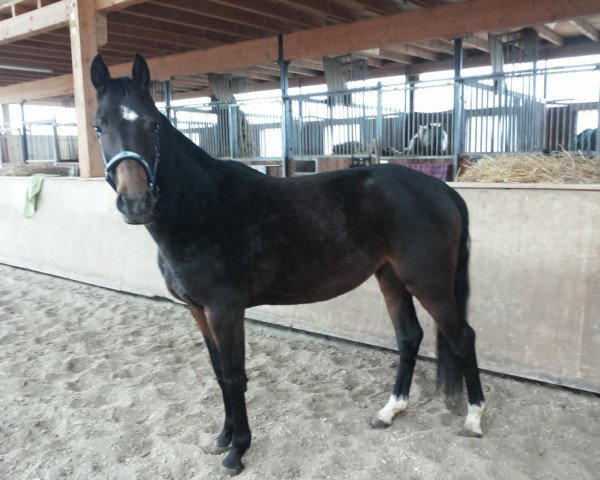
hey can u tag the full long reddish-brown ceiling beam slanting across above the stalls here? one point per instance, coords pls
(454, 20)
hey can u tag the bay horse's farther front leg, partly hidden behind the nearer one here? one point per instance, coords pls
(223, 441)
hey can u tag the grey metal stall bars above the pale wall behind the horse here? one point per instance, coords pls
(512, 112)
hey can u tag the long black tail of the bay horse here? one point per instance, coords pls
(449, 370)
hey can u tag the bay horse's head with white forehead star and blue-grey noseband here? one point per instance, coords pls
(127, 123)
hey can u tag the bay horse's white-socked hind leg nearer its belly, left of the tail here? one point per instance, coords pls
(408, 335)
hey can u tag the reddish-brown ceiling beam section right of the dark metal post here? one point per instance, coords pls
(450, 21)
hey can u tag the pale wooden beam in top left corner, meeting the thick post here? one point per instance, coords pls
(37, 21)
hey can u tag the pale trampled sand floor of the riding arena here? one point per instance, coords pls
(96, 384)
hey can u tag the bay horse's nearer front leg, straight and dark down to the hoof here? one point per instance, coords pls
(227, 328)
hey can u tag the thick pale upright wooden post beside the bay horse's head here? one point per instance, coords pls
(82, 28)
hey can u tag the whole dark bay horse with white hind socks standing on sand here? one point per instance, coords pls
(230, 238)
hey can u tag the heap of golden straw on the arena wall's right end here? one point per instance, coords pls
(557, 167)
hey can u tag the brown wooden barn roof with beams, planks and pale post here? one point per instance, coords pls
(46, 46)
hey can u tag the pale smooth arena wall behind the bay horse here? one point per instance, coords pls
(535, 271)
